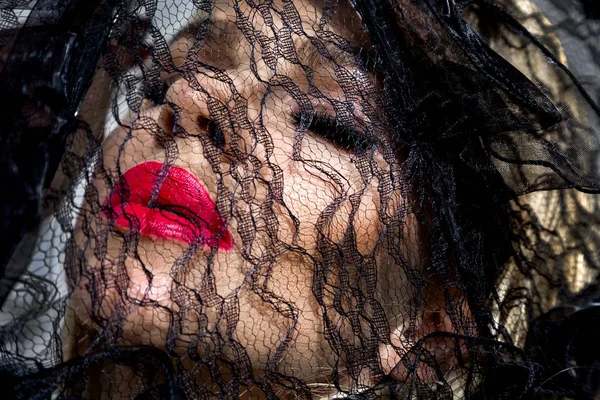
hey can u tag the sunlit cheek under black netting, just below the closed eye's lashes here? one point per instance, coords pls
(334, 208)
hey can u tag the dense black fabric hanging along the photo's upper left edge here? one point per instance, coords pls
(44, 80)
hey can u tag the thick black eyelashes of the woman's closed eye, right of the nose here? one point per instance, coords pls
(328, 127)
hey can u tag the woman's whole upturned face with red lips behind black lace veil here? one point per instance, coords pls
(226, 223)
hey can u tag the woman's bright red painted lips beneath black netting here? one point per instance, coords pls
(180, 208)
